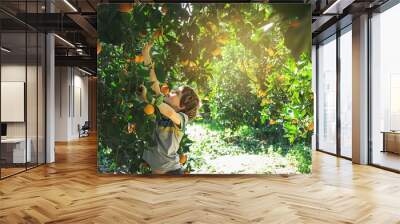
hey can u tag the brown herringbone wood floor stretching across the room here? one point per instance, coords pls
(70, 191)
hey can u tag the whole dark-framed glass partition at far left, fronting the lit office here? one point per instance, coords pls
(22, 102)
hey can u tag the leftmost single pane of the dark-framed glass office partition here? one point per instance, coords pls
(13, 93)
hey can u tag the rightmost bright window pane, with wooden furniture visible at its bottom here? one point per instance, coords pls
(386, 89)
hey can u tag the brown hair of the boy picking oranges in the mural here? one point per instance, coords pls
(190, 102)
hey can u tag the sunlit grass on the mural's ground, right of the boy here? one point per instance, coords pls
(222, 151)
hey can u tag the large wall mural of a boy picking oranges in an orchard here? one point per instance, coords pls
(204, 88)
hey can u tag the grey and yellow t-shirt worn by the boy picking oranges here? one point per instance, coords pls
(167, 135)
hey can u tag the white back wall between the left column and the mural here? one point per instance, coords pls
(71, 93)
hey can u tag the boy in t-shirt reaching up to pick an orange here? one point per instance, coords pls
(177, 108)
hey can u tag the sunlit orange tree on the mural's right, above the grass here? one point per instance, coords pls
(264, 79)
